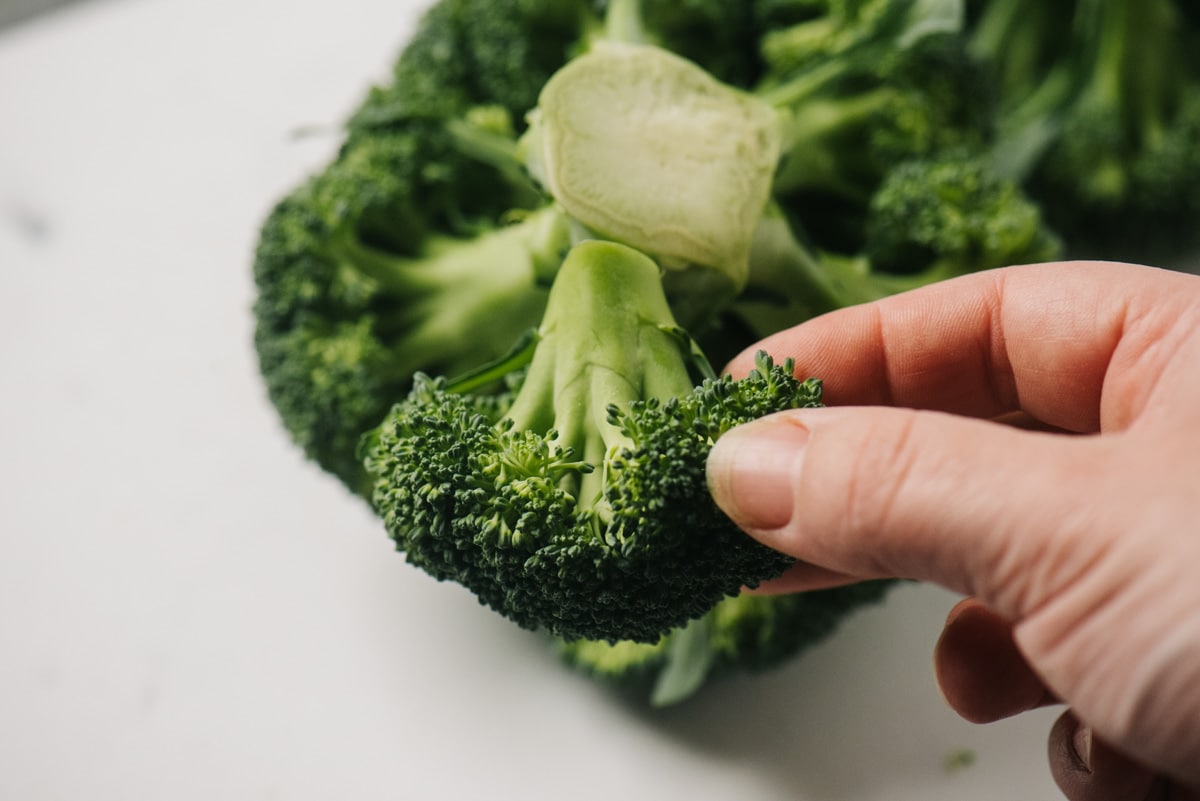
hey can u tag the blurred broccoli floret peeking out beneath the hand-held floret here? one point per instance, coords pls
(745, 633)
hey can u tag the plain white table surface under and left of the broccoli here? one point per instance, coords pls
(190, 611)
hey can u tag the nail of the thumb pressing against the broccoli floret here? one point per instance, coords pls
(753, 472)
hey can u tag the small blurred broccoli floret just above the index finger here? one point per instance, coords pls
(931, 220)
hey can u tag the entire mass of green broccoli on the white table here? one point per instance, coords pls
(751, 165)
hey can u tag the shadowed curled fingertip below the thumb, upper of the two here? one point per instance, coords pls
(980, 668)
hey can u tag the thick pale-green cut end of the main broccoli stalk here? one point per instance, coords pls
(645, 148)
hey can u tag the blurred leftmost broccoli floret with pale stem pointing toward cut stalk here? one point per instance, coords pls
(363, 281)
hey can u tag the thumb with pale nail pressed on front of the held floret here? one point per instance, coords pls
(979, 508)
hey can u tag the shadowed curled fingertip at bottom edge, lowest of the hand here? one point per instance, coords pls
(1089, 770)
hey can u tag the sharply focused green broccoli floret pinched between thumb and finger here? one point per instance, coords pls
(584, 510)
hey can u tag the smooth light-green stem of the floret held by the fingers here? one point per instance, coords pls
(609, 338)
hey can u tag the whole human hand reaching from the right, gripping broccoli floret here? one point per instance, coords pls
(1079, 555)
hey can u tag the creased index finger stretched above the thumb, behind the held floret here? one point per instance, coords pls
(1041, 339)
